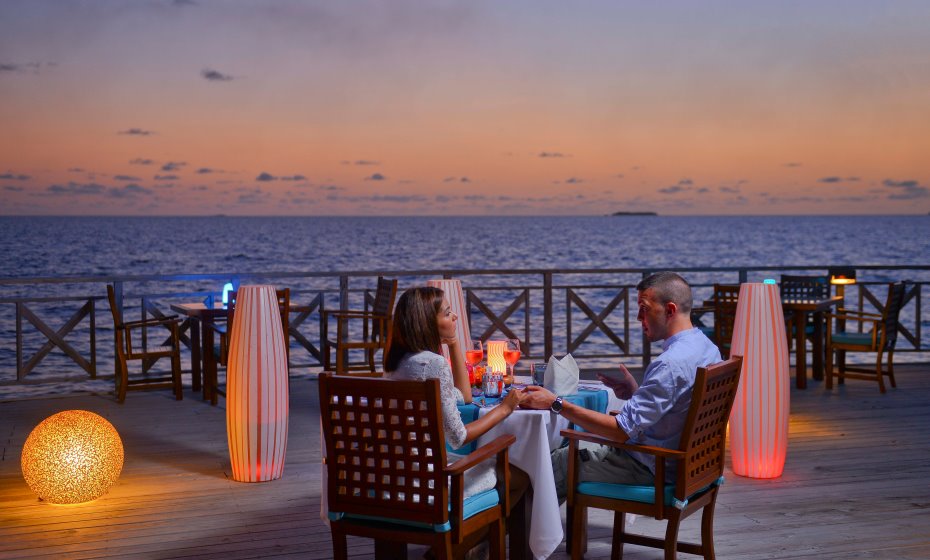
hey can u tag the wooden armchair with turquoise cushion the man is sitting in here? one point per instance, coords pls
(700, 462)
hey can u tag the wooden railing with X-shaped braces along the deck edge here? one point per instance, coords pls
(590, 313)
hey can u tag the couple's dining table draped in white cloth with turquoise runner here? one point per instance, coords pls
(538, 433)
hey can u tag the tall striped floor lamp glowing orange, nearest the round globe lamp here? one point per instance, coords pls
(256, 387)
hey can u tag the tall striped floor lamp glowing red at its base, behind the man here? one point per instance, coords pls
(759, 420)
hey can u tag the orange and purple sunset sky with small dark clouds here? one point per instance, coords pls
(287, 107)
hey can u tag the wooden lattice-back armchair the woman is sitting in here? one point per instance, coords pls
(387, 477)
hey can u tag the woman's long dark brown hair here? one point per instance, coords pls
(414, 328)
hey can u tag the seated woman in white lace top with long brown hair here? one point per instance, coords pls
(423, 320)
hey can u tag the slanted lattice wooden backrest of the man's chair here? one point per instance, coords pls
(704, 436)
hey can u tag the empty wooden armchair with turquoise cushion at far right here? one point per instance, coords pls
(880, 338)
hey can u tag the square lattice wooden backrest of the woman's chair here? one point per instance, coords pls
(385, 448)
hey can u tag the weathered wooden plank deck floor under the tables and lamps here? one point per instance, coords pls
(856, 485)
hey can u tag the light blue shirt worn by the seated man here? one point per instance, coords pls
(656, 413)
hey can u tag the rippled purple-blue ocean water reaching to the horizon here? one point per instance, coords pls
(94, 246)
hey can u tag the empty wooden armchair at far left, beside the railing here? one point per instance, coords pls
(148, 355)
